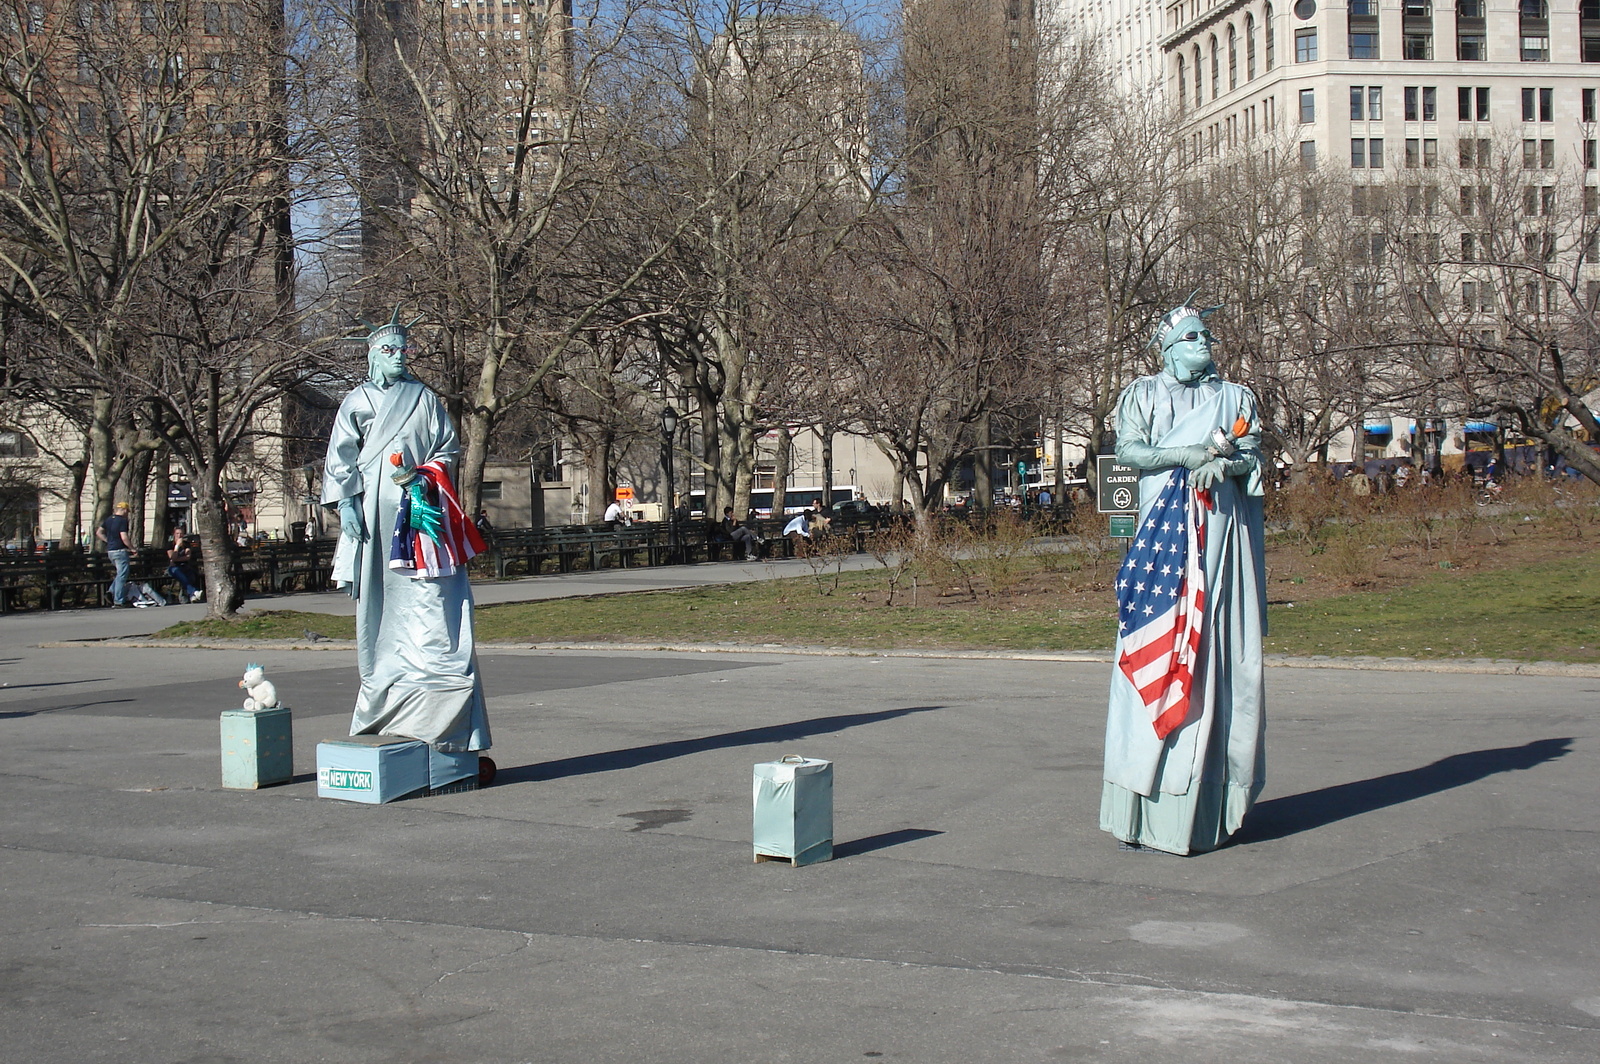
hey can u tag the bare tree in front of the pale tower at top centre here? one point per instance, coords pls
(761, 175)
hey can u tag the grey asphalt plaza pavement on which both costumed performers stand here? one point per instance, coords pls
(1418, 882)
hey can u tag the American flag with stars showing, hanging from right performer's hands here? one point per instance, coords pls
(1161, 602)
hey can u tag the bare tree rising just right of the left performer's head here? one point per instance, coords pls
(503, 148)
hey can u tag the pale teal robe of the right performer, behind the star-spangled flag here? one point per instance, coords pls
(1191, 791)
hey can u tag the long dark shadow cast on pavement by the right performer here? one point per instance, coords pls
(1316, 809)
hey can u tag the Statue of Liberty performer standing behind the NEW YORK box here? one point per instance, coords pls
(402, 556)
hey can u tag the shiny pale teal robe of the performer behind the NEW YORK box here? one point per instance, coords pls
(415, 644)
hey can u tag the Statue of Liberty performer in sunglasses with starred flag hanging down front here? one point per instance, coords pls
(1185, 734)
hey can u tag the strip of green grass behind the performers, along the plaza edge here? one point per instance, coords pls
(1529, 599)
